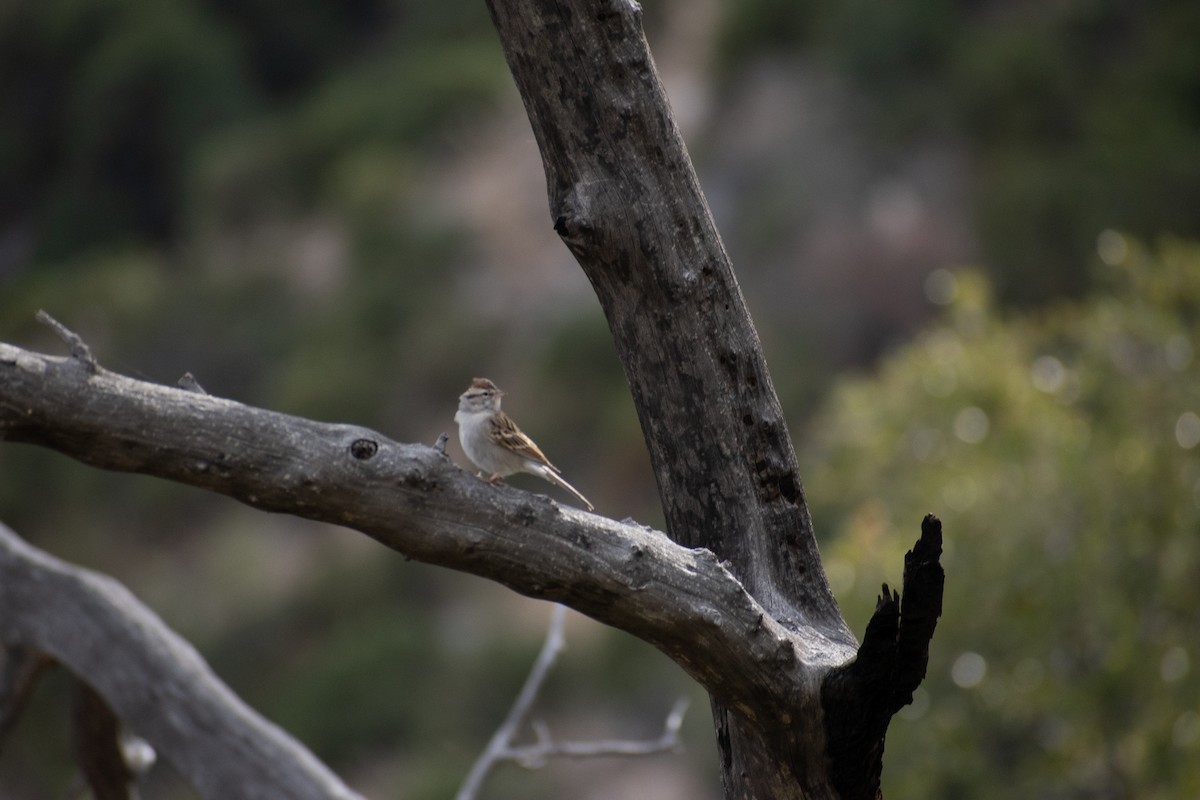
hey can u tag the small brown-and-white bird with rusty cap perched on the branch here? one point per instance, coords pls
(494, 442)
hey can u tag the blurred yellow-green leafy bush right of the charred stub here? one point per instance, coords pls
(1063, 453)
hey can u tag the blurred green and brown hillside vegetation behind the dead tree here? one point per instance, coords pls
(338, 210)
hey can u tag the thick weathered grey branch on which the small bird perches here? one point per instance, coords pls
(413, 500)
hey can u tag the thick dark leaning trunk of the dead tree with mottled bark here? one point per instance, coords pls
(626, 201)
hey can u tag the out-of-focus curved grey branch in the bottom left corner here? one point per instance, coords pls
(153, 681)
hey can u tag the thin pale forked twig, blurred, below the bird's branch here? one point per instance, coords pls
(501, 748)
